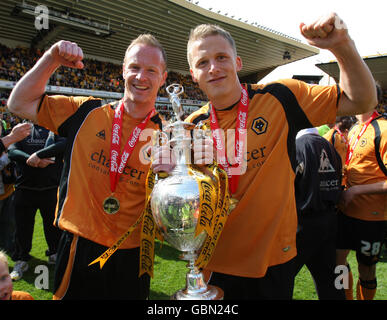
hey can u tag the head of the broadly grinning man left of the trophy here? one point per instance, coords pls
(144, 73)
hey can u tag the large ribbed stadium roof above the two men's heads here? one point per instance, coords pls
(261, 49)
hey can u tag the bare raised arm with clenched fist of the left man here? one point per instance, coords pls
(25, 97)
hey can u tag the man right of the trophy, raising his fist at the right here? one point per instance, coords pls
(253, 257)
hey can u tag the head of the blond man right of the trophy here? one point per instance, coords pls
(214, 66)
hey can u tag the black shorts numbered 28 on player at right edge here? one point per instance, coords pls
(365, 237)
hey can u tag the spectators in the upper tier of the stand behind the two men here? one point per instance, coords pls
(97, 75)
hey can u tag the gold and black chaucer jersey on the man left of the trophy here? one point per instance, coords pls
(85, 182)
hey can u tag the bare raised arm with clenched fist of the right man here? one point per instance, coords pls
(356, 80)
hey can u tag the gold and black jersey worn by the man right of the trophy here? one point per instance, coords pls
(261, 231)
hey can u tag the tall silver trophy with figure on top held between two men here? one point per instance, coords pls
(175, 204)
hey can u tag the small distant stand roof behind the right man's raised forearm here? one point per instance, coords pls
(377, 65)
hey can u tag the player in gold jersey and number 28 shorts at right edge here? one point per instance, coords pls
(363, 207)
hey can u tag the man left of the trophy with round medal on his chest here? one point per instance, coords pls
(102, 191)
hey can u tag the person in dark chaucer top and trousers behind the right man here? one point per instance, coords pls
(317, 192)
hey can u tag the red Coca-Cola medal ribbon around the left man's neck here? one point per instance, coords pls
(115, 168)
